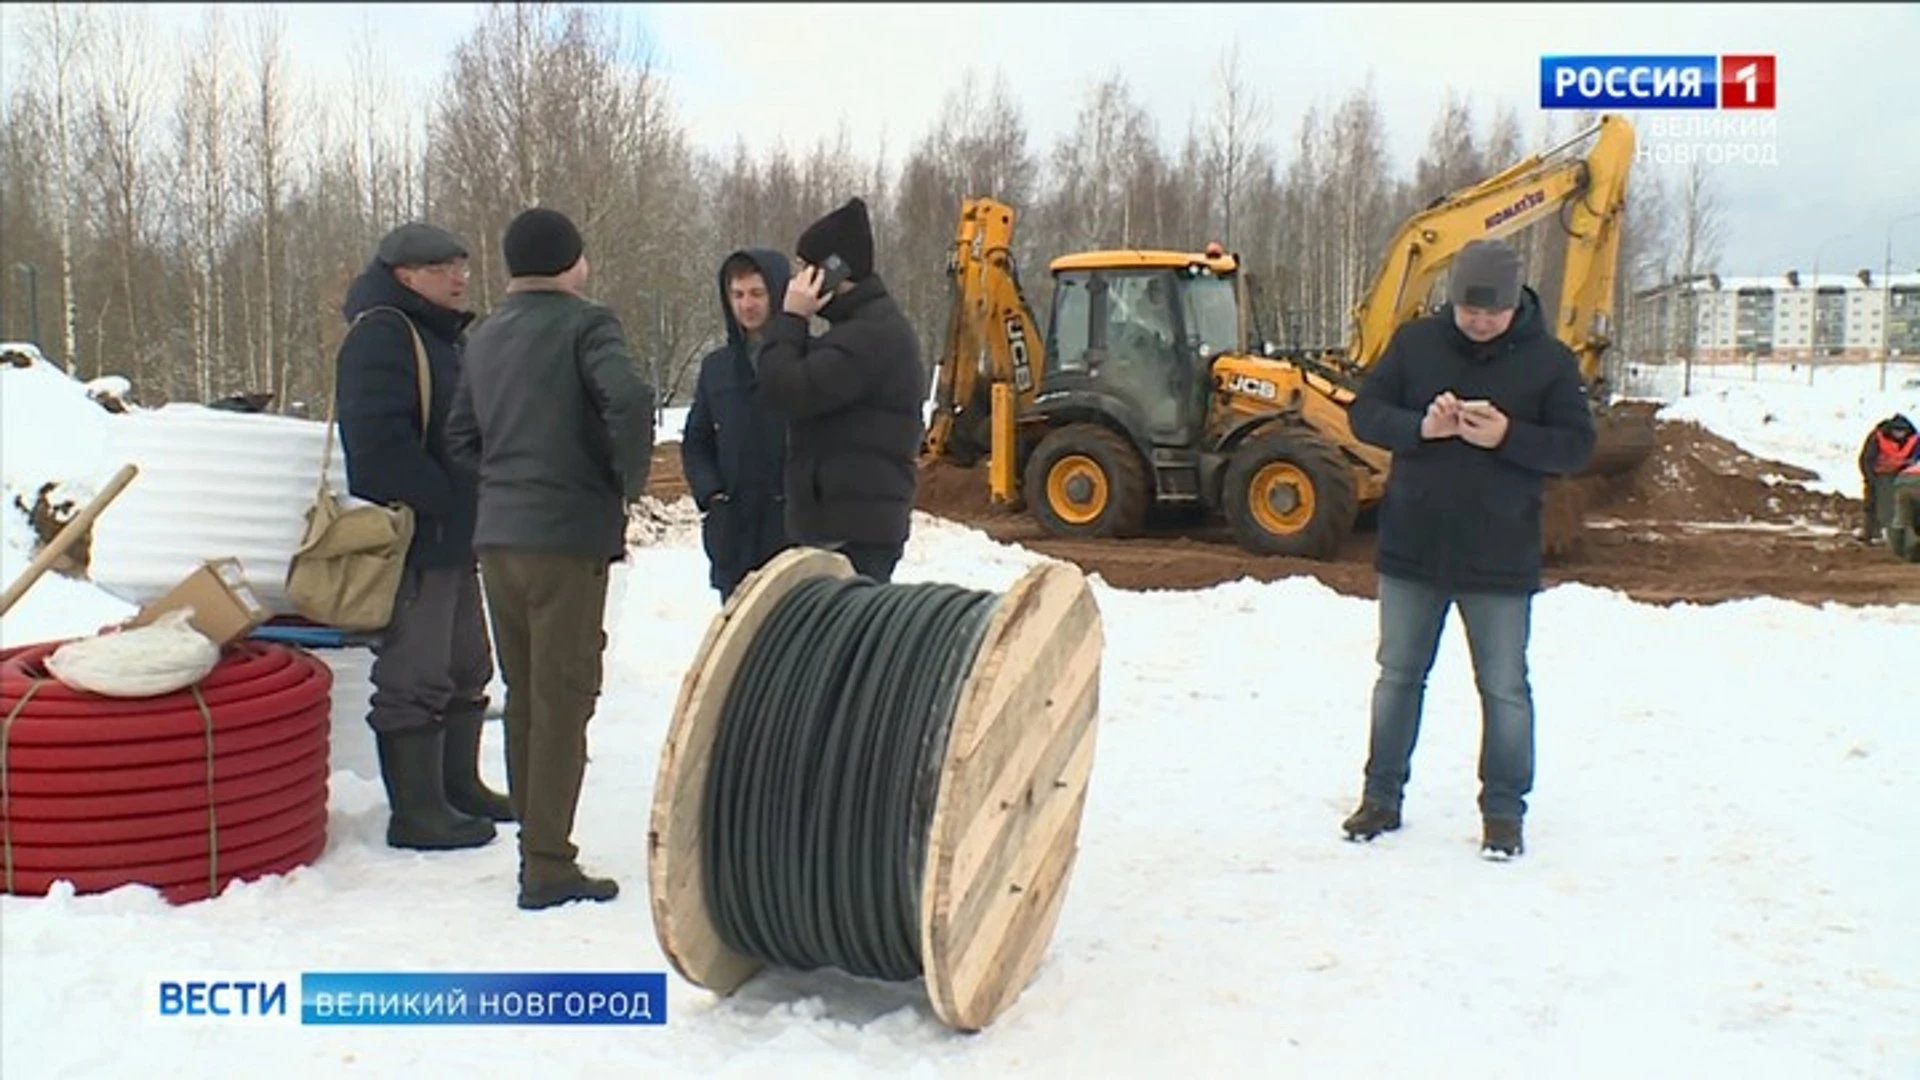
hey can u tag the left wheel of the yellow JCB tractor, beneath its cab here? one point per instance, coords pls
(1088, 481)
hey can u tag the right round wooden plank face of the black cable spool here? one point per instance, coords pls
(1015, 783)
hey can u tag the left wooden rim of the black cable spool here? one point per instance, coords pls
(677, 835)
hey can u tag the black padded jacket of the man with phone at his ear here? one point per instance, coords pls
(855, 406)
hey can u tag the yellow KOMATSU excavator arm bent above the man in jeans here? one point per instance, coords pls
(1589, 191)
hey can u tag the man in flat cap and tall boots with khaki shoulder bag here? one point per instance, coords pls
(435, 662)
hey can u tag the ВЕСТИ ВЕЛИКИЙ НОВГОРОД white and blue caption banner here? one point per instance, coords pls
(393, 998)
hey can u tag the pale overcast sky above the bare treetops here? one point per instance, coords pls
(1848, 118)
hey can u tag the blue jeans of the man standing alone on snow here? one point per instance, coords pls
(1499, 626)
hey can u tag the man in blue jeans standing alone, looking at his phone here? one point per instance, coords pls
(1479, 405)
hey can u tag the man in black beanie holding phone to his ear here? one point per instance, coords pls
(853, 399)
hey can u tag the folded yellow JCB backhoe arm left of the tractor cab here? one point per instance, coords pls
(994, 343)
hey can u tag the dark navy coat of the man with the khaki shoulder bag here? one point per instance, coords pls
(377, 401)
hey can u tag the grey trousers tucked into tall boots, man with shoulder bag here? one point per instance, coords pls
(435, 656)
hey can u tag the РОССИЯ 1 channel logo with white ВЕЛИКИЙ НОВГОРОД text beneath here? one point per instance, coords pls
(1708, 109)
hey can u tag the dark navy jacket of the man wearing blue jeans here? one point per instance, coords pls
(1456, 516)
